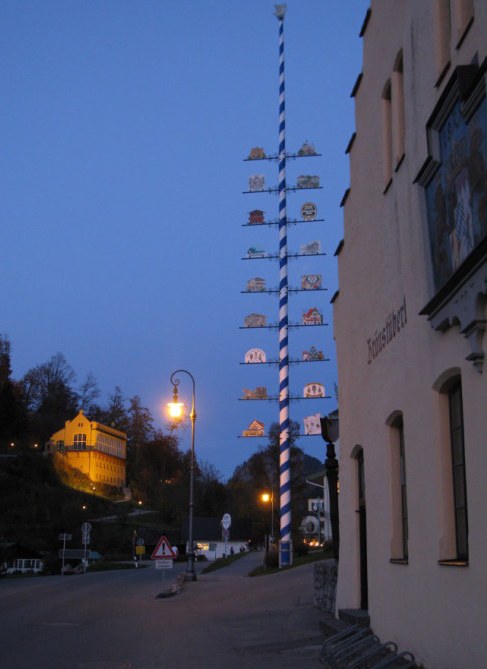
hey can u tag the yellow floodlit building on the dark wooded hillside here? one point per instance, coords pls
(94, 449)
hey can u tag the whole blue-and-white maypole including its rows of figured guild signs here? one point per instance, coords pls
(311, 317)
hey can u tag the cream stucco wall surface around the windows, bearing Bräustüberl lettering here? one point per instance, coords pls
(434, 610)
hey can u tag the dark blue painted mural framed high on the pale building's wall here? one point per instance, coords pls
(457, 195)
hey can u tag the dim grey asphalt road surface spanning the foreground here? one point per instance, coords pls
(114, 620)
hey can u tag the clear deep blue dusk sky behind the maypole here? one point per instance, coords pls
(124, 127)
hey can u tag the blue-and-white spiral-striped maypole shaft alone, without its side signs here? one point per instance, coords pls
(285, 552)
